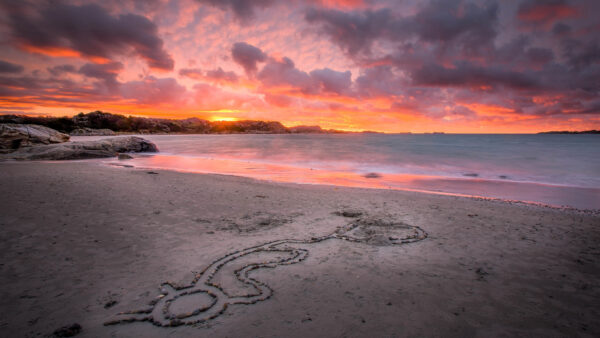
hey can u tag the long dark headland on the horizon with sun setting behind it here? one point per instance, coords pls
(142, 125)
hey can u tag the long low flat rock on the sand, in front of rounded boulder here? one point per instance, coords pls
(82, 150)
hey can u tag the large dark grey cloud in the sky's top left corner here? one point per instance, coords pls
(87, 29)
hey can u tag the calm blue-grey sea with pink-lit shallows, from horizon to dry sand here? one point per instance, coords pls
(552, 169)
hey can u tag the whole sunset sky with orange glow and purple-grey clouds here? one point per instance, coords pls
(393, 66)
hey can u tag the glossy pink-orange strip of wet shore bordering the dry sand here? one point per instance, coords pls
(585, 198)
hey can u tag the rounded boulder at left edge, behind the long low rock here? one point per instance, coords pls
(14, 136)
